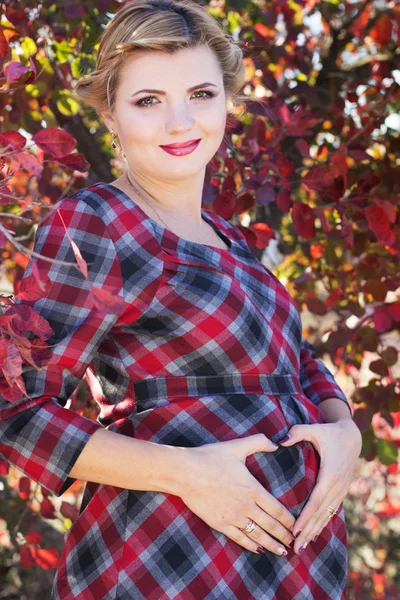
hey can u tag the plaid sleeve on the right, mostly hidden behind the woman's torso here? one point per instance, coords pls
(317, 381)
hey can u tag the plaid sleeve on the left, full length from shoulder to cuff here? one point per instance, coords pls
(38, 435)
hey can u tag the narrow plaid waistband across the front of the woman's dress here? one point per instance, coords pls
(209, 385)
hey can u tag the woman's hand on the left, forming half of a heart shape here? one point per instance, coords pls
(220, 489)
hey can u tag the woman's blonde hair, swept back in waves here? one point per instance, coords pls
(159, 25)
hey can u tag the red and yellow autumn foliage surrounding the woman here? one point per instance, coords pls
(313, 170)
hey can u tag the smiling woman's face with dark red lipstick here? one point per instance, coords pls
(144, 121)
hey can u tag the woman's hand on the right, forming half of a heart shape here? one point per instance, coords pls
(339, 446)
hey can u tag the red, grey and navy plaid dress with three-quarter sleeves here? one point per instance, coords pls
(208, 348)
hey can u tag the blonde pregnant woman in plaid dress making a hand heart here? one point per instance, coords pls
(223, 448)
